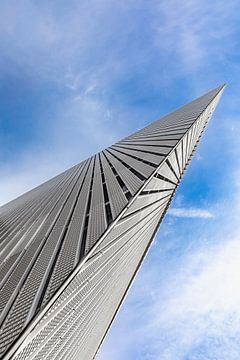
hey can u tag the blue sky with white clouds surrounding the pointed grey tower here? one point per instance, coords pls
(75, 76)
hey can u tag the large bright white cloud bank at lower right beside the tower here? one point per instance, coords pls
(200, 316)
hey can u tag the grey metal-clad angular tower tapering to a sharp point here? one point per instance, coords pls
(70, 248)
